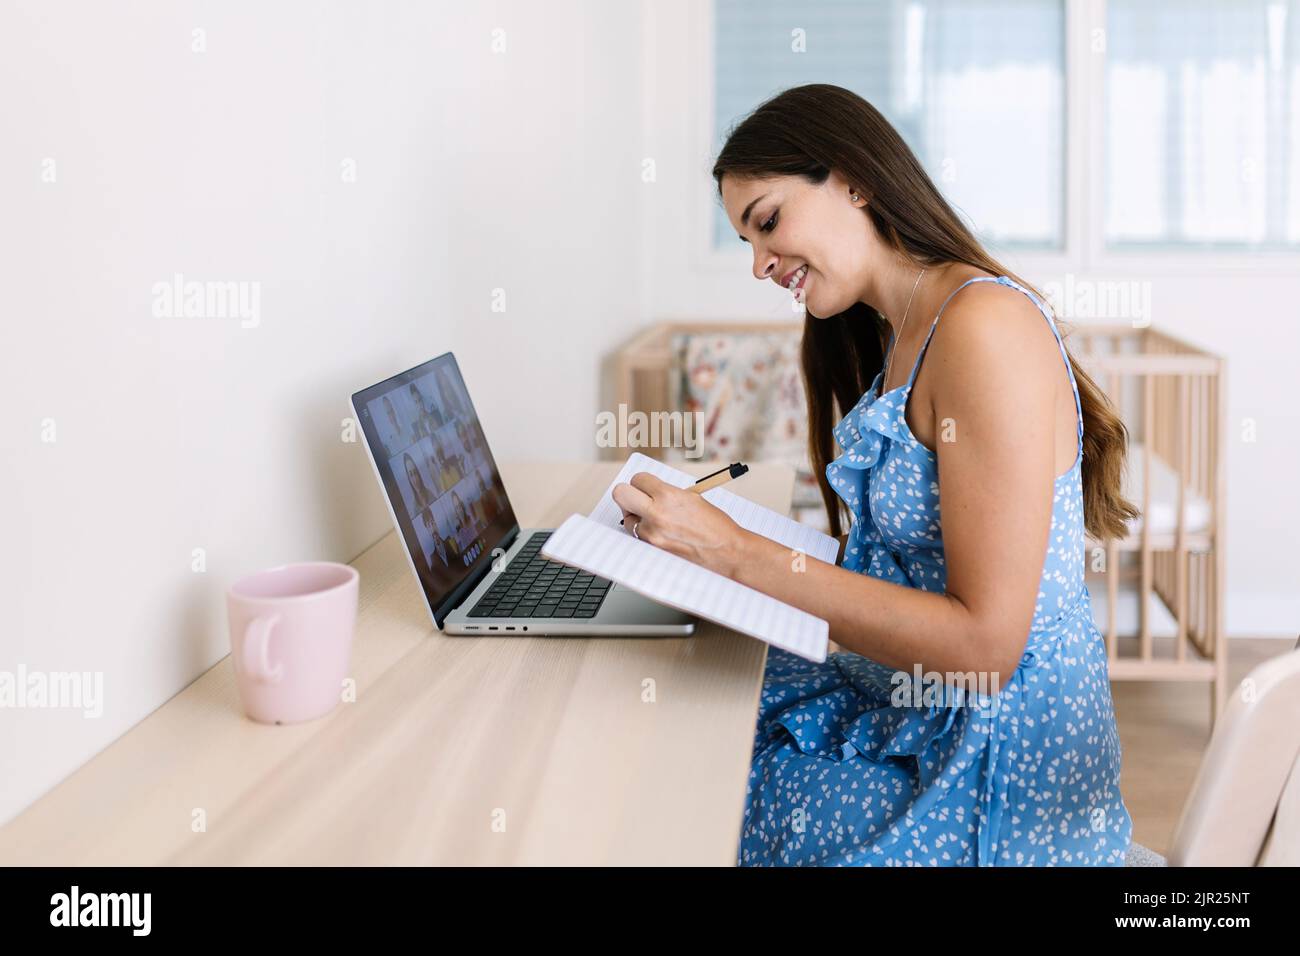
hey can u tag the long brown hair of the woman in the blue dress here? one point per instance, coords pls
(811, 131)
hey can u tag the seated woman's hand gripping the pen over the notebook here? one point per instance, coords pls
(681, 522)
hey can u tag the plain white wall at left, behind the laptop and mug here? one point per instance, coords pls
(475, 171)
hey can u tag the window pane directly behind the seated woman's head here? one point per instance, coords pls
(976, 88)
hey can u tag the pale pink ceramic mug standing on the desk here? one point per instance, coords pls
(292, 639)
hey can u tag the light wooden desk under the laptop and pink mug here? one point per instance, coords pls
(449, 737)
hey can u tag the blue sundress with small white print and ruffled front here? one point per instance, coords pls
(847, 772)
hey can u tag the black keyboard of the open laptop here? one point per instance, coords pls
(534, 587)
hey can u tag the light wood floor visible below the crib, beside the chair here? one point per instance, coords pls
(1164, 730)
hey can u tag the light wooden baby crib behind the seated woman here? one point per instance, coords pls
(1172, 400)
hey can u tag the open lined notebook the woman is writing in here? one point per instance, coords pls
(599, 544)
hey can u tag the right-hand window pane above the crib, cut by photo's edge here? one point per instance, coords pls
(1203, 124)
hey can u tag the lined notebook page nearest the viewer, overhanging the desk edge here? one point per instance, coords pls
(679, 583)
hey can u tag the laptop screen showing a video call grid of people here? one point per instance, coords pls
(440, 477)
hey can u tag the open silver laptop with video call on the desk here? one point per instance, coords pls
(479, 572)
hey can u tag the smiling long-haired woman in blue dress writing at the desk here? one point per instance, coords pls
(1025, 453)
